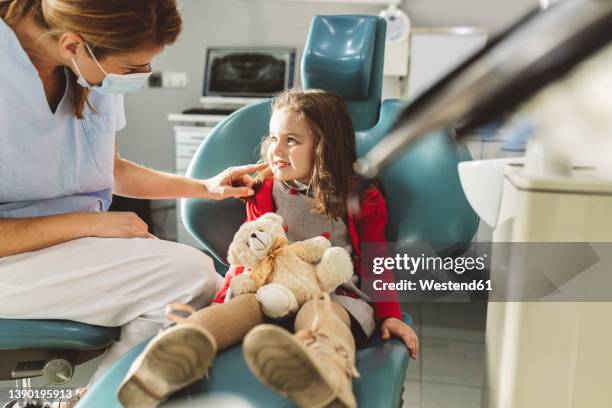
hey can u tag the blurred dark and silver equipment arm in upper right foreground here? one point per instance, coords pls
(510, 69)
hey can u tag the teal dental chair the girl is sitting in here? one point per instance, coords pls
(343, 54)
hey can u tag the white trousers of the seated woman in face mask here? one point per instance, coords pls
(107, 282)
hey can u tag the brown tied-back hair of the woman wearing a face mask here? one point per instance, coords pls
(110, 27)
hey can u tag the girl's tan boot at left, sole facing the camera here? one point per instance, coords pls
(173, 359)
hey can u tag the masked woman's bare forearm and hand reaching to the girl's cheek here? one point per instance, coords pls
(133, 180)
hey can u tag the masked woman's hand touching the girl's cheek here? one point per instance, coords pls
(233, 182)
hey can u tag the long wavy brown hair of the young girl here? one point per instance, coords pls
(330, 124)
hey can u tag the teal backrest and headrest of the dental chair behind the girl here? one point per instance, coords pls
(344, 54)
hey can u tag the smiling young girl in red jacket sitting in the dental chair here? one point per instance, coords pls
(310, 152)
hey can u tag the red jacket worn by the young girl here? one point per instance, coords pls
(369, 226)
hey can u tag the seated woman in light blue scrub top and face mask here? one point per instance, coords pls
(63, 67)
